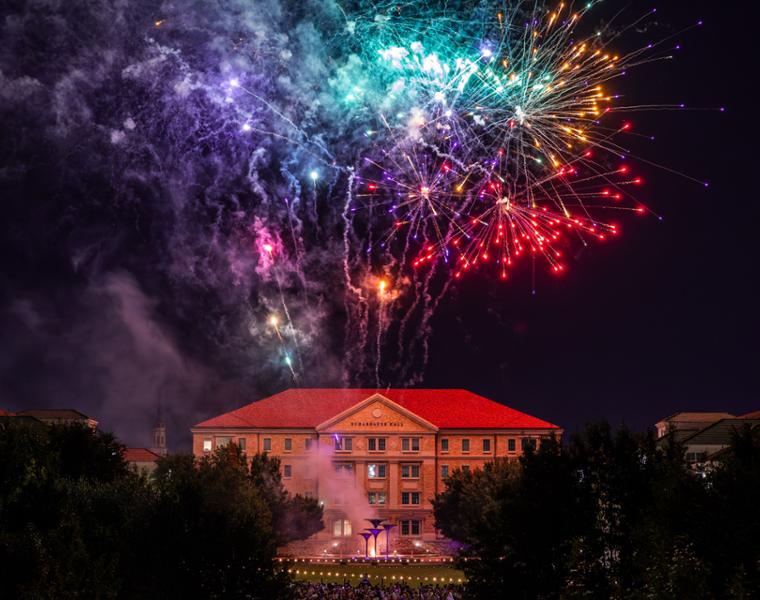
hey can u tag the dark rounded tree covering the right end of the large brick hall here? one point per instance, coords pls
(518, 521)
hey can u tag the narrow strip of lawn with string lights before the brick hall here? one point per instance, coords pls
(413, 573)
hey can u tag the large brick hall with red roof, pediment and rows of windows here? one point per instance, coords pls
(374, 454)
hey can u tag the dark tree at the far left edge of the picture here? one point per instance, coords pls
(67, 505)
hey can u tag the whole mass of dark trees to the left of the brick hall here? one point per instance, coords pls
(76, 522)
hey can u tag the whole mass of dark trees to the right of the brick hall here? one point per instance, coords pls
(610, 515)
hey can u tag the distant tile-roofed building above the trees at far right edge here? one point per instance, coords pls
(704, 436)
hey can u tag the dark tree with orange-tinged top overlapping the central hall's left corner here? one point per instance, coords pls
(212, 531)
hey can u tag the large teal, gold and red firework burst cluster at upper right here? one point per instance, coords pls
(499, 138)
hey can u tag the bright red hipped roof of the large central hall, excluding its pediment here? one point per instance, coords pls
(446, 409)
